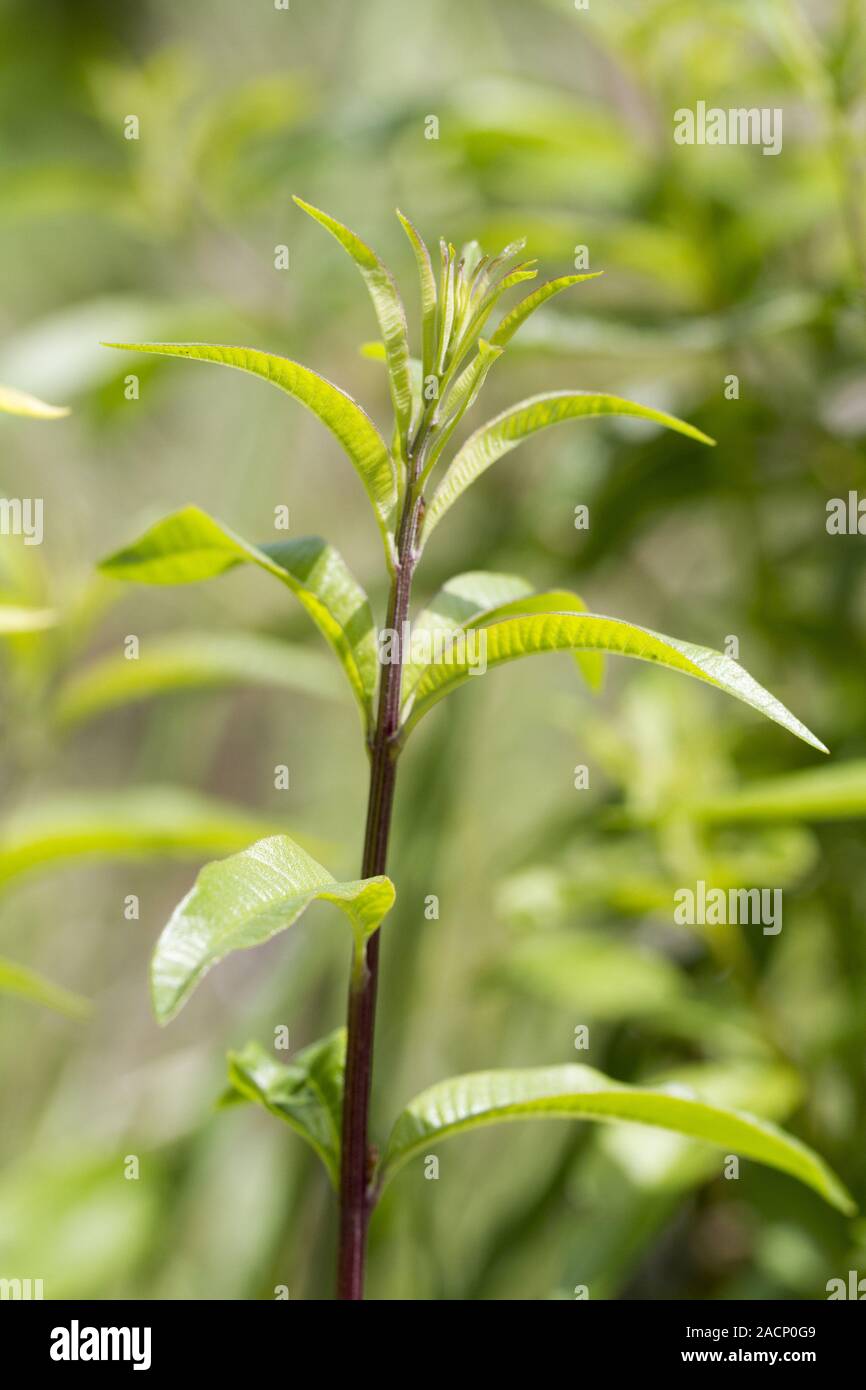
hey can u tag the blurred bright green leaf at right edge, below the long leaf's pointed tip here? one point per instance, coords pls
(836, 793)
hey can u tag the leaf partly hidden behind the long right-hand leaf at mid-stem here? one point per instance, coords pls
(479, 598)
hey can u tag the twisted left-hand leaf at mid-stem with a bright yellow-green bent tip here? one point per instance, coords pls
(191, 546)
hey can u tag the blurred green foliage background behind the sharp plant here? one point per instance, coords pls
(555, 903)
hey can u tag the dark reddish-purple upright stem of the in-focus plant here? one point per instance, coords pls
(357, 1159)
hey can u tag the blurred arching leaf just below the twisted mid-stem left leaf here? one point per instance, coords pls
(195, 661)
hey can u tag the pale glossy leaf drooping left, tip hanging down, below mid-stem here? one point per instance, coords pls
(245, 900)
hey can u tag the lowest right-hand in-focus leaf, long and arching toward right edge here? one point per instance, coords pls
(468, 1103)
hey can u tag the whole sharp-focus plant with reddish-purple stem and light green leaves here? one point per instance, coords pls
(414, 479)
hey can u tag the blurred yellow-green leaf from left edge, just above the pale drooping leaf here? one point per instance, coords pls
(151, 822)
